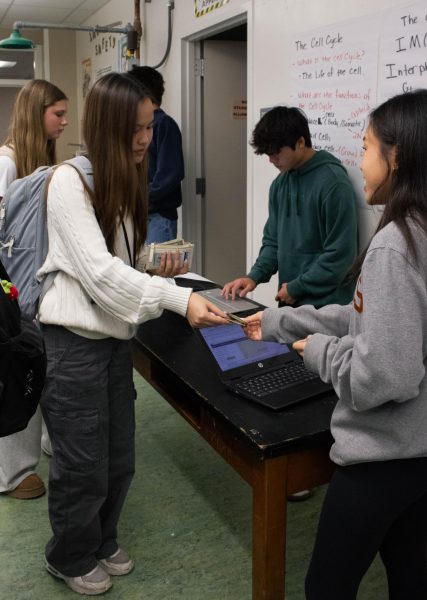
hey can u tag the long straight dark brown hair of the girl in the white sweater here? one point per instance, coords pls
(120, 186)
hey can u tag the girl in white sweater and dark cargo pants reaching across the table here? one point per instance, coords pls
(88, 314)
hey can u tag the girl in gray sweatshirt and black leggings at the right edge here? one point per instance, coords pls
(374, 352)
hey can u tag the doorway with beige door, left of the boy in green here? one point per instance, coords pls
(214, 210)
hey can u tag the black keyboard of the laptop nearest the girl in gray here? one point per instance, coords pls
(274, 381)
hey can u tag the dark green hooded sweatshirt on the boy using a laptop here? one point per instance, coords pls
(310, 236)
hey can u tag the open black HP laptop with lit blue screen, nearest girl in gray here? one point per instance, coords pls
(269, 373)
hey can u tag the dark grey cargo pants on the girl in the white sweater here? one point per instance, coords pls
(88, 406)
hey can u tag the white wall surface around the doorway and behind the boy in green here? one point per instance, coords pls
(271, 25)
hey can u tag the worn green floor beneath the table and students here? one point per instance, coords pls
(186, 523)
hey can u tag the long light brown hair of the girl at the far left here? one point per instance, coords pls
(27, 136)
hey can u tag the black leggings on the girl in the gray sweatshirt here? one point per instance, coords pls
(369, 508)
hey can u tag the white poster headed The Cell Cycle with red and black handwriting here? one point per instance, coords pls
(334, 81)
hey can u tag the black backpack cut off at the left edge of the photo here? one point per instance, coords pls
(22, 362)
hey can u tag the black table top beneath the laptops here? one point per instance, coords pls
(171, 341)
